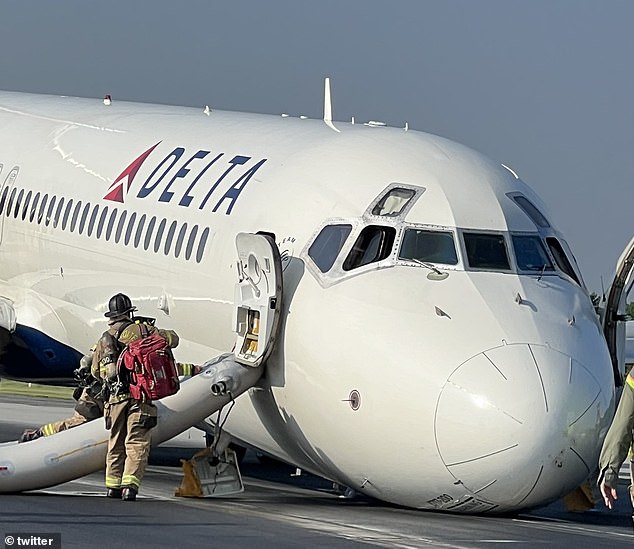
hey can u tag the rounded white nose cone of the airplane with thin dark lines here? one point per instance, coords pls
(519, 424)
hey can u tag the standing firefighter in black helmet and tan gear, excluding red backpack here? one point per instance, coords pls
(129, 420)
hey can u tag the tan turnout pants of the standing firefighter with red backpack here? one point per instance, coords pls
(130, 422)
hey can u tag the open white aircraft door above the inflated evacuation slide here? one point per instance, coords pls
(258, 297)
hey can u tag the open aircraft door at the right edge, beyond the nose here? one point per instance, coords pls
(614, 313)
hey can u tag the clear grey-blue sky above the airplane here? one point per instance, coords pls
(544, 86)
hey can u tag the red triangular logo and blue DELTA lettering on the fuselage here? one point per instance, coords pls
(187, 182)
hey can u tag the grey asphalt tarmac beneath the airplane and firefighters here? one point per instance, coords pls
(276, 509)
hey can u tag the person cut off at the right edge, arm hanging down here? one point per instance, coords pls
(616, 445)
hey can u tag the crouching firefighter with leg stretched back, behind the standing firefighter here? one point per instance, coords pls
(89, 404)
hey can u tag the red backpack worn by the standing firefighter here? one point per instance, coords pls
(153, 372)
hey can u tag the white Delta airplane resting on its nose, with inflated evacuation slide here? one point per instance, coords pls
(383, 307)
